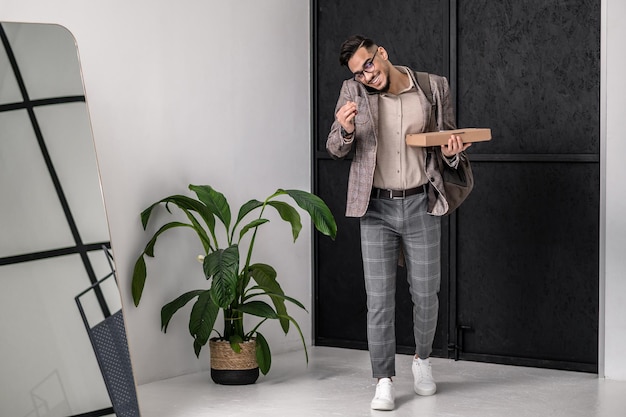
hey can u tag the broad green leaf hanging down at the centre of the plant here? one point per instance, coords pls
(223, 265)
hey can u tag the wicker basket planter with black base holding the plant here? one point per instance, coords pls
(231, 368)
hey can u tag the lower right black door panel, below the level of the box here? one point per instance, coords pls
(528, 258)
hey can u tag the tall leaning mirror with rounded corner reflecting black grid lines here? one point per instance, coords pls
(55, 241)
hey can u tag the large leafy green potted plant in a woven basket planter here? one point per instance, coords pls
(236, 286)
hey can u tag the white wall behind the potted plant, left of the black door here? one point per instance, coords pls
(191, 92)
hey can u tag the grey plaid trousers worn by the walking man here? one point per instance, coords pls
(387, 226)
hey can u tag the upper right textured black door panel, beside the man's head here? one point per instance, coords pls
(530, 70)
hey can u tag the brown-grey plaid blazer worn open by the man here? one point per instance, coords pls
(365, 142)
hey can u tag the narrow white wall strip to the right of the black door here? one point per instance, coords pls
(614, 100)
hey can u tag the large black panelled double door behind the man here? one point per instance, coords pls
(520, 282)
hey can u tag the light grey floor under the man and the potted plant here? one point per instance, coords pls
(337, 382)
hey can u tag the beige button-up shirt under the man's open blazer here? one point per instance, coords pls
(399, 166)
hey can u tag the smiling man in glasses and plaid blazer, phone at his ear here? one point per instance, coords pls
(397, 193)
